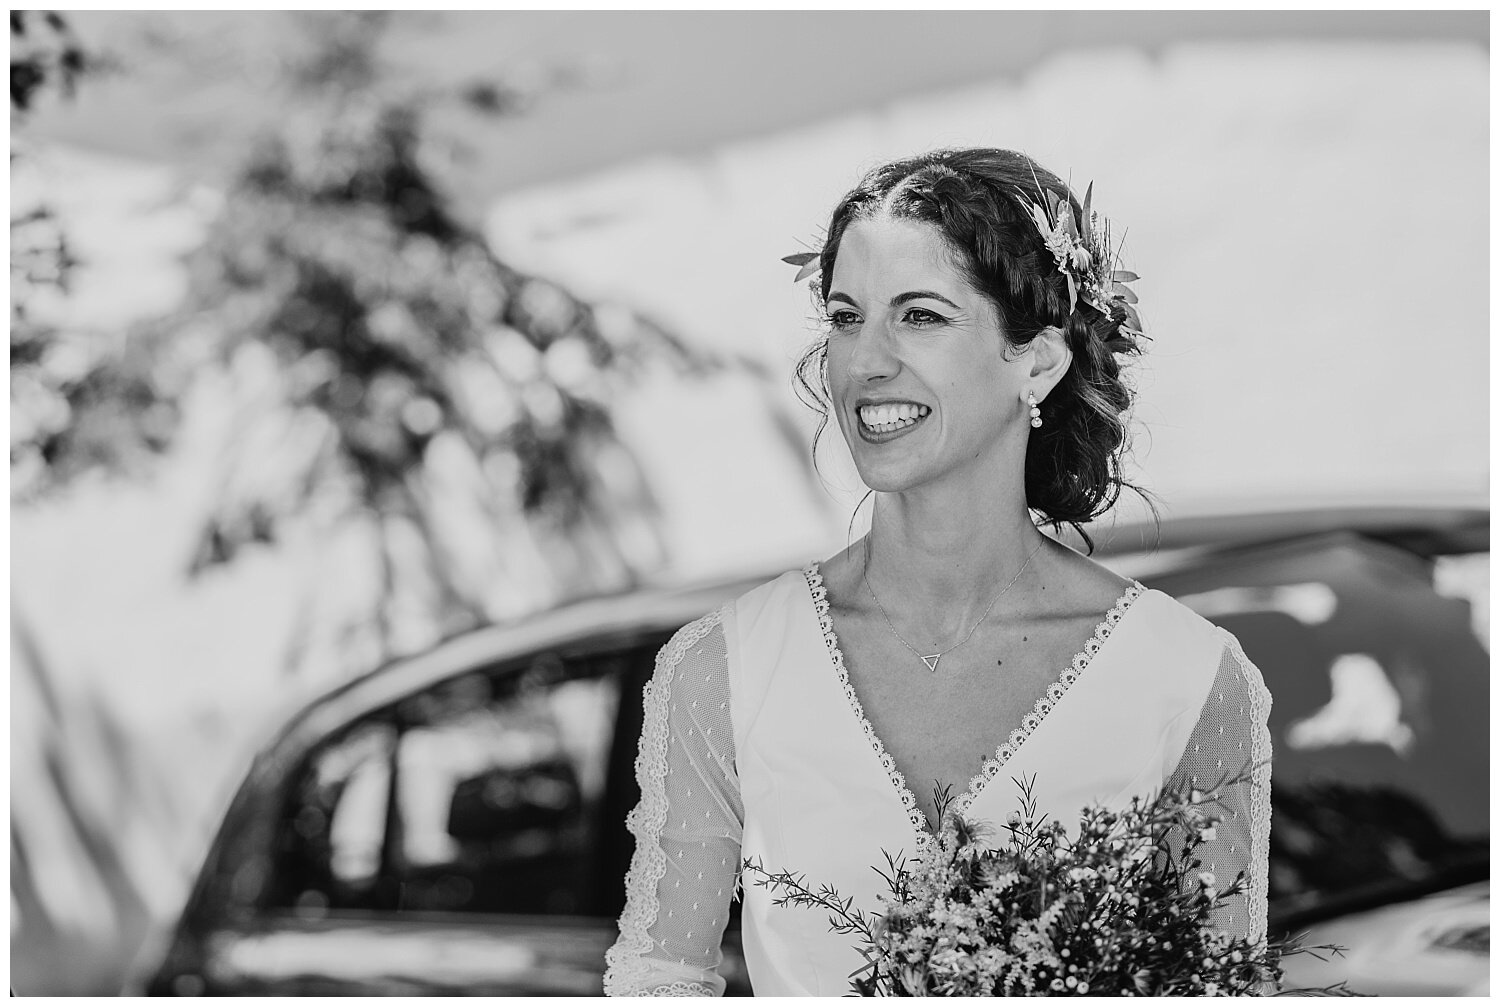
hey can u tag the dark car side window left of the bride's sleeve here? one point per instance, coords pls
(485, 793)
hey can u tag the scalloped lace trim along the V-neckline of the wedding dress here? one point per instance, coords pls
(1007, 751)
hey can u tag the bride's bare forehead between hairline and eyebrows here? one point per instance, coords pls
(889, 256)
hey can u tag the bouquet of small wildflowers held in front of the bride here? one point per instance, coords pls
(1118, 910)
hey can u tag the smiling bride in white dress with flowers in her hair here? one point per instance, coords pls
(976, 331)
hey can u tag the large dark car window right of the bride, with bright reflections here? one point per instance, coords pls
(1379, 675)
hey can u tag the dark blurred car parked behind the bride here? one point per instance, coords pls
(454, 823)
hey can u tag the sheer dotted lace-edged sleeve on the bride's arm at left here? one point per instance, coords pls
(688, 826)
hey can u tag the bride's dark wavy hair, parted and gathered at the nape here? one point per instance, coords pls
(976, 199)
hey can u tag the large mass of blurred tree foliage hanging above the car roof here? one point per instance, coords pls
(383, 367)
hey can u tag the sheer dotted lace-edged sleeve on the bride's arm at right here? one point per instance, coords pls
(1232, 741)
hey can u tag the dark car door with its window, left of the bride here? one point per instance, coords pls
(464, 840)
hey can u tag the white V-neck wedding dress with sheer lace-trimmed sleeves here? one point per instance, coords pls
(755, 747)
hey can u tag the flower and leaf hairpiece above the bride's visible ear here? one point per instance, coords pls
(1085, 257)
